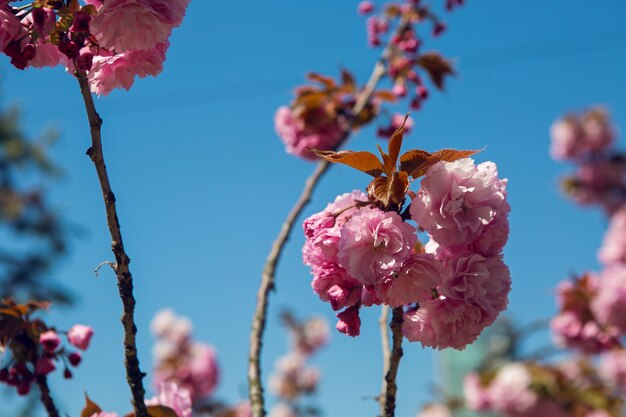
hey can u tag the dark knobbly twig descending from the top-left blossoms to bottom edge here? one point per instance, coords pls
(134, 376)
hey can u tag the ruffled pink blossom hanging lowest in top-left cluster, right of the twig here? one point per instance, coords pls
(120, 70)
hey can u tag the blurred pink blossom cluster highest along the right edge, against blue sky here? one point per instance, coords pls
(586, 140)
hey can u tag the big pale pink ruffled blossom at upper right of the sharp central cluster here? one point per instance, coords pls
(458, 200)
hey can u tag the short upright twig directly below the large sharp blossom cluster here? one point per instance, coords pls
(388, 393)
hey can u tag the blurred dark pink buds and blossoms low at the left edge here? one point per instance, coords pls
(29, 360)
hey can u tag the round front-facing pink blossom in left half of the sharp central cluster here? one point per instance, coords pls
(374, 244)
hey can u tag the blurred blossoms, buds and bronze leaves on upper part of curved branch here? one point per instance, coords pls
(323, 113)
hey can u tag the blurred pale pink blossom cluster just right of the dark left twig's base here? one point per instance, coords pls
(178, 358)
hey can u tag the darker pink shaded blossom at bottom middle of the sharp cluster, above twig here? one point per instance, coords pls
(414, 283)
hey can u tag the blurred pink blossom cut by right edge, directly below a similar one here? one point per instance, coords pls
(609, 304)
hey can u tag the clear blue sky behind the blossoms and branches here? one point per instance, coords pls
(191, 154)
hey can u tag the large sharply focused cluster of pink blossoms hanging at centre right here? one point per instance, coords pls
(361, 255)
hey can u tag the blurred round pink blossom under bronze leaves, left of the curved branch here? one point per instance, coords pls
(321, 131)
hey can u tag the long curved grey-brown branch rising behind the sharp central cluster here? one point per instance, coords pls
(259, 318)
